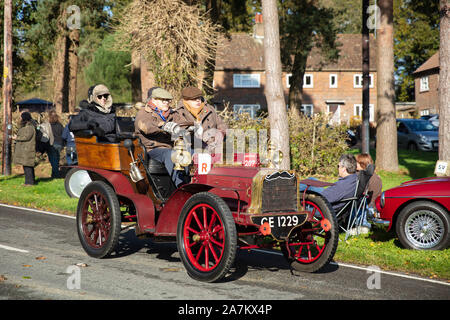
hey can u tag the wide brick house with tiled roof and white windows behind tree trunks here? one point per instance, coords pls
(239, 78)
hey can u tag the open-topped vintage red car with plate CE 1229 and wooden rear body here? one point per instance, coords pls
(241, 205)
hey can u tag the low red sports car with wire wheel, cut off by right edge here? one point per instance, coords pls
(419, 210)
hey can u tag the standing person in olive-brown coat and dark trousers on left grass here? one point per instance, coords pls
(25, 147)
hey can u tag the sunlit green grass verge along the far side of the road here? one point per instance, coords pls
(378, 248)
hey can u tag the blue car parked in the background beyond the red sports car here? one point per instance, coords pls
(417, 134)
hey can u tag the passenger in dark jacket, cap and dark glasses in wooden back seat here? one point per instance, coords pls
(97, 114)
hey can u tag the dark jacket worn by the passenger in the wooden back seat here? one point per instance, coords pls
(90, 118)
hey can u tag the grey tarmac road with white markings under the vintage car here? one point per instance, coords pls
(39, 253)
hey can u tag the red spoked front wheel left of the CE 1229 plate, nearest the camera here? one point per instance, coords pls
(206, 237)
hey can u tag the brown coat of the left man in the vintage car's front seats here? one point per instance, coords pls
(148, 126)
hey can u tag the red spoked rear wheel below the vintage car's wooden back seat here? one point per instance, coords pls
(98, 219)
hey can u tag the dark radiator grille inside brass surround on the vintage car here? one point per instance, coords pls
(279, 193)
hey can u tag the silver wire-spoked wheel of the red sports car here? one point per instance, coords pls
(423, 225)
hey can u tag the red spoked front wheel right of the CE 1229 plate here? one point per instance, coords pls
(312, 246)
